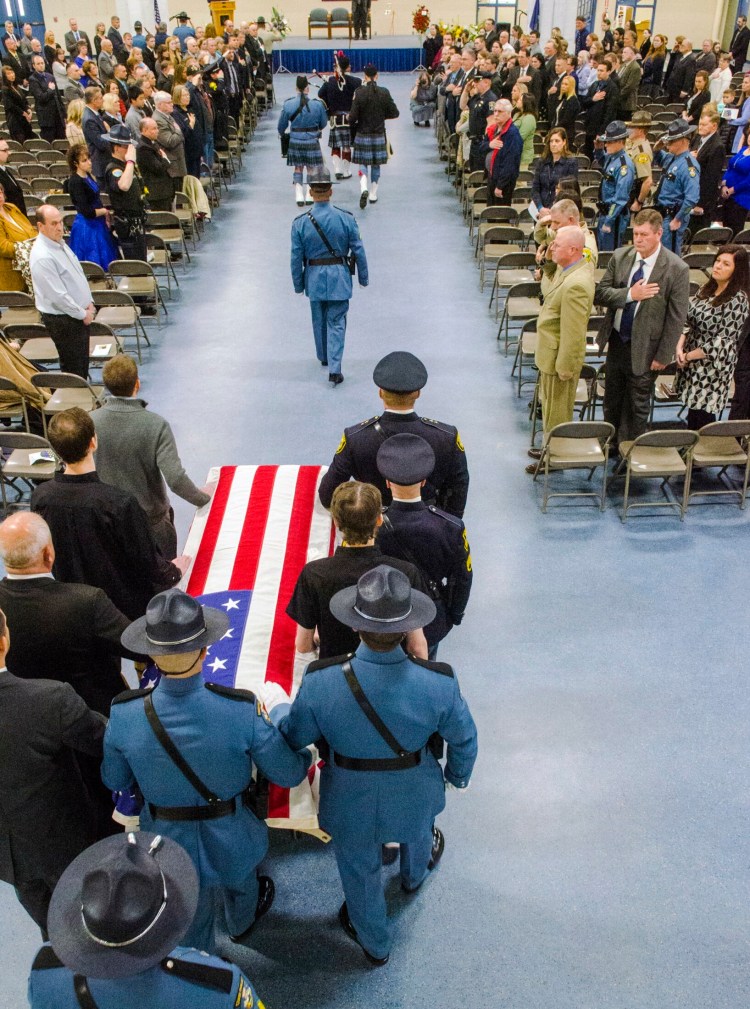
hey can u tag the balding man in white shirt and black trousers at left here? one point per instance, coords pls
(62, 293)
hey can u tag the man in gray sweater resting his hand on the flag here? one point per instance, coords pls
(137, 453)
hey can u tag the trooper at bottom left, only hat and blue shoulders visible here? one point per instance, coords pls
(117, 920)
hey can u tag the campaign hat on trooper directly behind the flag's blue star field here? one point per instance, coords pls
(175, 623)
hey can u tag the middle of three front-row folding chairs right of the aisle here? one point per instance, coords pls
(661, 456)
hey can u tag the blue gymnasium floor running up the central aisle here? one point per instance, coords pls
(601, 859)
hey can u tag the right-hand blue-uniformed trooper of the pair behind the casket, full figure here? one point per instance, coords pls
(380, 718)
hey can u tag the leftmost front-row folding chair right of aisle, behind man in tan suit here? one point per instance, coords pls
(578, 445)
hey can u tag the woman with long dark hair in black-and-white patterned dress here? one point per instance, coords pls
(707, 351)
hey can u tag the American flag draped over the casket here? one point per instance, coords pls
(249, 546)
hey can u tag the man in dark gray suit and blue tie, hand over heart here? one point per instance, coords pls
(646, 291)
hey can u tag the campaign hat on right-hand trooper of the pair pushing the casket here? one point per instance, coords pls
(383, 602)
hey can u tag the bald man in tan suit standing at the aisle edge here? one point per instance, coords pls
(562, 329)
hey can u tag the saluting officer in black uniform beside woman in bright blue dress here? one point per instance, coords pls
(124, 184)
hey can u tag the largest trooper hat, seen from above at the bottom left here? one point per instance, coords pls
(123, 906)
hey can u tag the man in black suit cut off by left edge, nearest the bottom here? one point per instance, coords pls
(46, 816)
